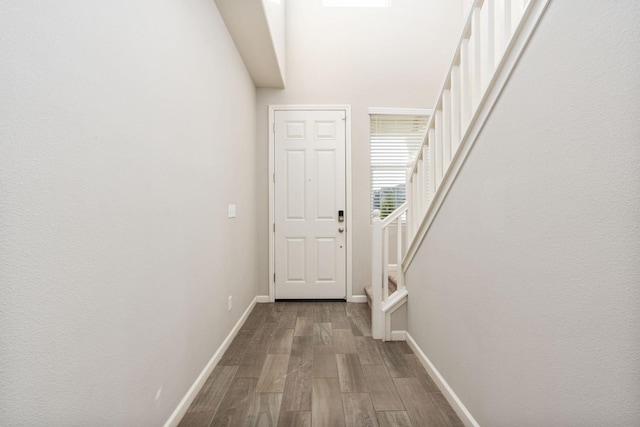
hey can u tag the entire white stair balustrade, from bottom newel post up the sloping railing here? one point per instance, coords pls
(494, 36)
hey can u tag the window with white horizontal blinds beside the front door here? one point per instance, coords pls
(396, 135)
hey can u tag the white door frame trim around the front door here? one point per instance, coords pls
(349, 209)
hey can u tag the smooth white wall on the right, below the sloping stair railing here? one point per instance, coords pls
(525, 294)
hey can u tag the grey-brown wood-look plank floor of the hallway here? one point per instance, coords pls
(315, 364)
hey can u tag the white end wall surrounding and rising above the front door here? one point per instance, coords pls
(378, 57)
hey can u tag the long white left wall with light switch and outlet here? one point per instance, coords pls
(125, 129)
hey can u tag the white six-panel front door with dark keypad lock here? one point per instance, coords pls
(309, 191)
